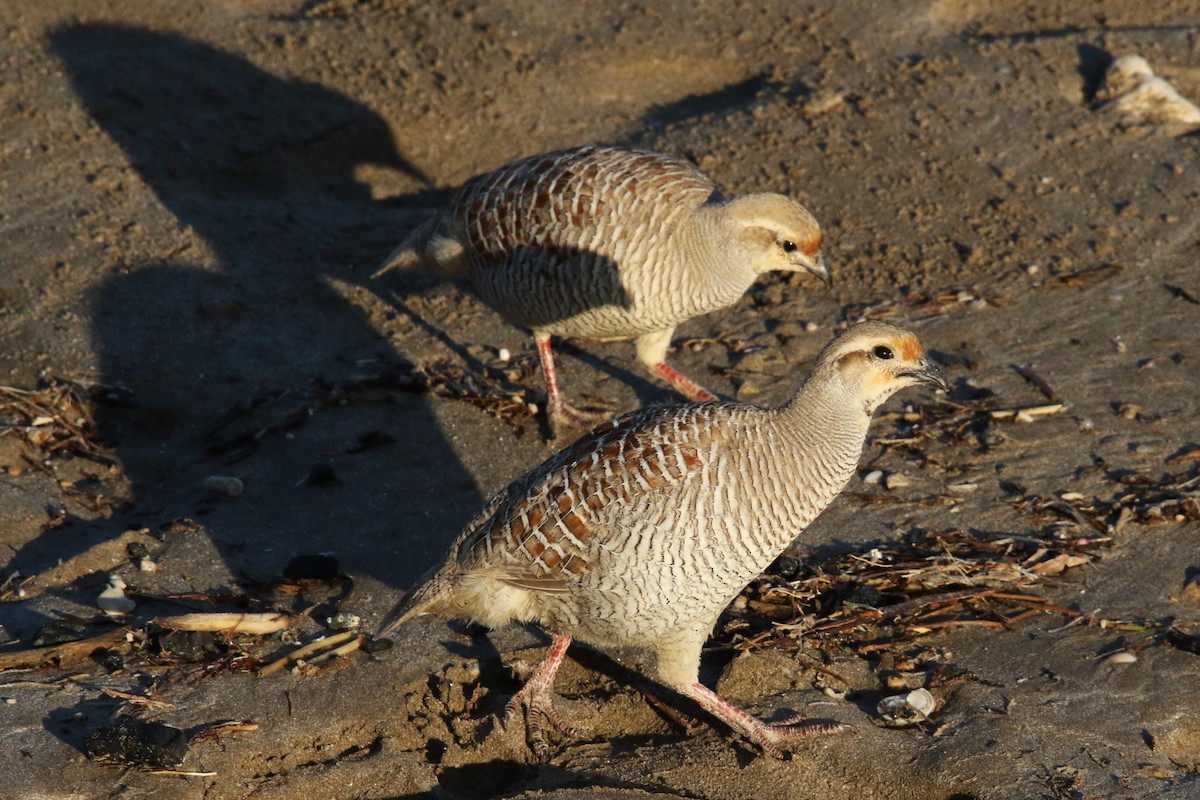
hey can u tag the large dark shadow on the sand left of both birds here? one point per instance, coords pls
(245, 321)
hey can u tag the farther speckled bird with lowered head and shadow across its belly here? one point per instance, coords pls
(610, 244)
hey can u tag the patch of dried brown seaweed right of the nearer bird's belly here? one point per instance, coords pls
(898, 592)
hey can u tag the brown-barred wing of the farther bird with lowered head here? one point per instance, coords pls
(559, 200)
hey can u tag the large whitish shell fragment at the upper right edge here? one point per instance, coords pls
(1141, 98)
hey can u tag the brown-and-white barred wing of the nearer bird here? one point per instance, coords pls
(549, 526)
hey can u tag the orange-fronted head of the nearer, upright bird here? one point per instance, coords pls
(877, 360)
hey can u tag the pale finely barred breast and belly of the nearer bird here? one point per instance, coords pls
(667, 558)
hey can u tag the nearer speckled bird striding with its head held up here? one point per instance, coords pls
(643, 532)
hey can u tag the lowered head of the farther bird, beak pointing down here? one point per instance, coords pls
(777, 233)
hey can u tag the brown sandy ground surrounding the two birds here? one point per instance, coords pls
(195, 199)
